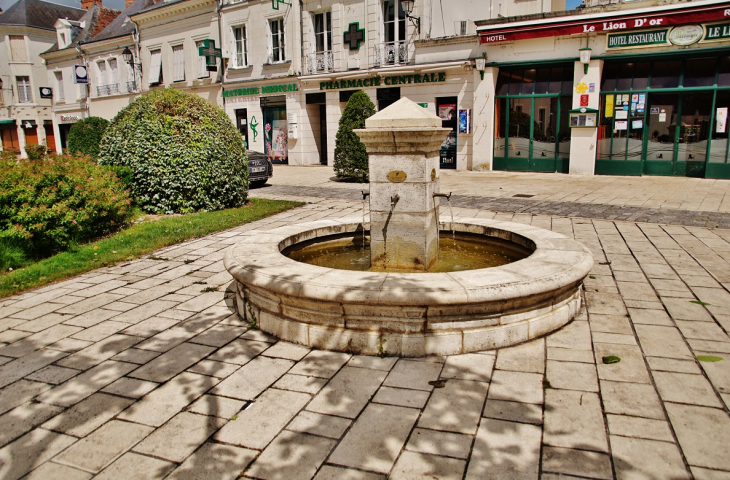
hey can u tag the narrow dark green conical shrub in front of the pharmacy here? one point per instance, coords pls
(351, 158)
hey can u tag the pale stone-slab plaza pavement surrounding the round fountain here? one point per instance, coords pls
(140, 371)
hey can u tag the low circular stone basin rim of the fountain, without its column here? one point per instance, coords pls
(408, 314)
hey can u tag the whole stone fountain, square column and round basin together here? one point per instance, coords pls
(397, 307)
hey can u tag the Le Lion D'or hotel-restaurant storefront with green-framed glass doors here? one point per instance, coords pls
(658, 80)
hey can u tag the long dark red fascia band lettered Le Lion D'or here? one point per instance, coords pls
(684, 16)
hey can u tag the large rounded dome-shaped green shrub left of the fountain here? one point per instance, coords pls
(184, 153)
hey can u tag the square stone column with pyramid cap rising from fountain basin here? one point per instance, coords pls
(403, 143)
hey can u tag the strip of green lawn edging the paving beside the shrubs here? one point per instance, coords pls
(136, 241)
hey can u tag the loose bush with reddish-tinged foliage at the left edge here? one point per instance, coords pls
(47, 206)
